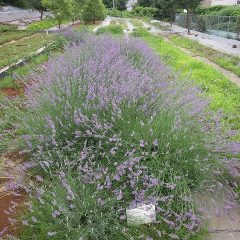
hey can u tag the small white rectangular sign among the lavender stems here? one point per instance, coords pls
(142, 214)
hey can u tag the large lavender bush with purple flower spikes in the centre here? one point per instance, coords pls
(107, 127)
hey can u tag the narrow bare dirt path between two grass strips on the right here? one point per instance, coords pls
(228, 74)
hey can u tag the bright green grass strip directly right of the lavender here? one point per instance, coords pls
(224, 95)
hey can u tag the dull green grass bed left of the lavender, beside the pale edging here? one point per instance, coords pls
(9, 54)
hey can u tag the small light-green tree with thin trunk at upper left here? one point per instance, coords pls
(61, 9)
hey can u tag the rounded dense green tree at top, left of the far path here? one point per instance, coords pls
(94, 10)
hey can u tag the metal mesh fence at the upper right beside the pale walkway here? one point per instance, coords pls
(224, 26)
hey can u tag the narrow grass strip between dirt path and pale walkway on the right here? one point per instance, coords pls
(226, 61)
